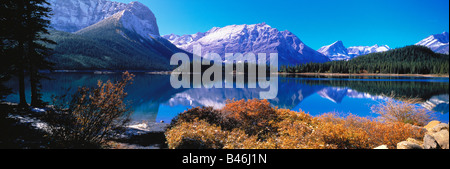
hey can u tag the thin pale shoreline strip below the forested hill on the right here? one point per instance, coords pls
(367, 74)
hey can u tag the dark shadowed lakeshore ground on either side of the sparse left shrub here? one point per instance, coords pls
(26, 130)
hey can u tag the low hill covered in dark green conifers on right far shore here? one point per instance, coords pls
(407, 60)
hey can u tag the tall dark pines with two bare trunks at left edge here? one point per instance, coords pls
(27, 23)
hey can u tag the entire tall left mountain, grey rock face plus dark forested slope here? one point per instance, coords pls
(109, 35)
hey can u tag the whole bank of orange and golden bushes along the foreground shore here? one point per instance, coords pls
(259, 126)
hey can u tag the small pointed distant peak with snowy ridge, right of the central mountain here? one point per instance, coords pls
(337, 51)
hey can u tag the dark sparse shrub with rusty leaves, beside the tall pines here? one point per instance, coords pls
(92, 115)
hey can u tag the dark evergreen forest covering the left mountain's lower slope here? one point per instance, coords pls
(108, 48)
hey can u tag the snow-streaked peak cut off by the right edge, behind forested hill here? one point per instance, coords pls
(438, 43)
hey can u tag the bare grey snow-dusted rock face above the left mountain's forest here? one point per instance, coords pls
(74, 15)
